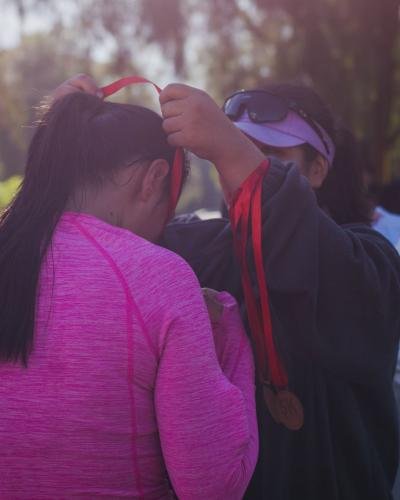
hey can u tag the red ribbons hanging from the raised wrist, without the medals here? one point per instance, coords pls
(245, 210)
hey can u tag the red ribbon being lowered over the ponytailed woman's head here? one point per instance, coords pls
(179, 158)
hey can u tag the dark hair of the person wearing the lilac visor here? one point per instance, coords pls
(342, 193)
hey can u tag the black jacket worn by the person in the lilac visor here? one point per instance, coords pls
(335, 303)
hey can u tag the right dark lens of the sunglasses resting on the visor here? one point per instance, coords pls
(265, 107)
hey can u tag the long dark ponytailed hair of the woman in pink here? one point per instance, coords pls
(80, 140)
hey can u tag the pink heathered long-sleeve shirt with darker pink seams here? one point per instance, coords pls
(124, 384)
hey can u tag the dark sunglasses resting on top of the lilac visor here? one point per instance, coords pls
(263, 107)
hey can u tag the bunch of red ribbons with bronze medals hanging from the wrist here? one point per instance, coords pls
(246, 220)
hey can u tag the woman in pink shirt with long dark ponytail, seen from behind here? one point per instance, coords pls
(112, 381)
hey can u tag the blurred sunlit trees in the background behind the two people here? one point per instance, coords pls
(349, 50)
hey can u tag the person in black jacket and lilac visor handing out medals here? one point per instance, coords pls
(334, 289)
